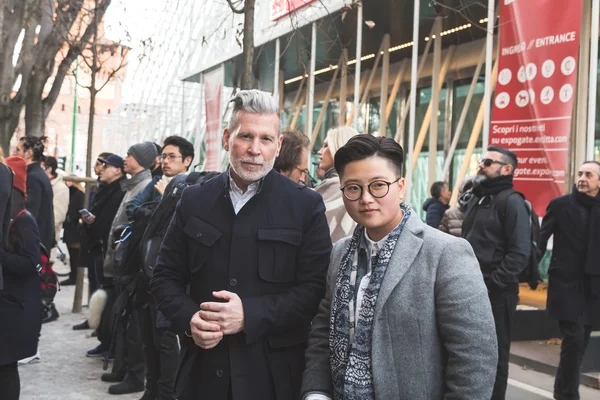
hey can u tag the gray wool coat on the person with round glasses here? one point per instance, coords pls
(433, 334)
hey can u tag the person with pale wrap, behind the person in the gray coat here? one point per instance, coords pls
(340, 223)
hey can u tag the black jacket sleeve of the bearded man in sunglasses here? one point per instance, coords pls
(517, 236)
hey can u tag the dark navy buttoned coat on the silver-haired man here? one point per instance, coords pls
(274, 254)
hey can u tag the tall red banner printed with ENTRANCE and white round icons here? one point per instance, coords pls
(533, 104)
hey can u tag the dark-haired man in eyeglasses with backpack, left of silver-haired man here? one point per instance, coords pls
(161, 350)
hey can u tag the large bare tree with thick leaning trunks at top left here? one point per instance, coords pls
(33, 33)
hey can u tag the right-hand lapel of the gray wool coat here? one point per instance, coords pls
(406, 250)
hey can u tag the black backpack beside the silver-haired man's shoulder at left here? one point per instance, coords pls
(161, 218)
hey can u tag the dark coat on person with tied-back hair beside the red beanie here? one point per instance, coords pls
(39, 203)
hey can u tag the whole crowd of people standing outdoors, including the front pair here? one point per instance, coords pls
(252, 284)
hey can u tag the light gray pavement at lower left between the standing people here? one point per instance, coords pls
(65, 372)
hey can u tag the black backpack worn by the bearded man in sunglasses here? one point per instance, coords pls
(531, 273)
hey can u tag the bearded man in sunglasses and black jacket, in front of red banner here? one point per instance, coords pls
(502, 243)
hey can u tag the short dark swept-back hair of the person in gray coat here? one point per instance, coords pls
(363, 146)
